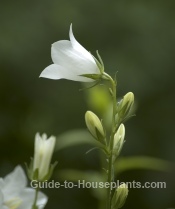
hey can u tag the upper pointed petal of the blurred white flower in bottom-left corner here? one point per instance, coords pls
(14, 183)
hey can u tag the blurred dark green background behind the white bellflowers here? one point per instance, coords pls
(136, 39)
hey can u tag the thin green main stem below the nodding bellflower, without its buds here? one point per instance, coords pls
(111, 141)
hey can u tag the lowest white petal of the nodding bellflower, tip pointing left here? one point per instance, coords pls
(58, 72)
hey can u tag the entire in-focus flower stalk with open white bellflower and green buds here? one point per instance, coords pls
(72, 61)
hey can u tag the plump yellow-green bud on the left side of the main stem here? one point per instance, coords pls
(95, 127)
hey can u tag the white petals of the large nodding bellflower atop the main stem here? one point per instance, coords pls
(71, 61)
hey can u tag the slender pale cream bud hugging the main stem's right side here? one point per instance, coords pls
(118, 141)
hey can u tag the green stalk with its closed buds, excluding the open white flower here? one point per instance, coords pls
(114, 144)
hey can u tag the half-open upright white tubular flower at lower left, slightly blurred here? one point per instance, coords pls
(42, 155)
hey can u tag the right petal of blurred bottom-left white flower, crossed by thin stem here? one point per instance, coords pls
(27, 197)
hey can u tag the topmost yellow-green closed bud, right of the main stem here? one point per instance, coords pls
(125, 105)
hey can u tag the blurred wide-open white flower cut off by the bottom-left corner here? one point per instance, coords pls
(14, 193)
